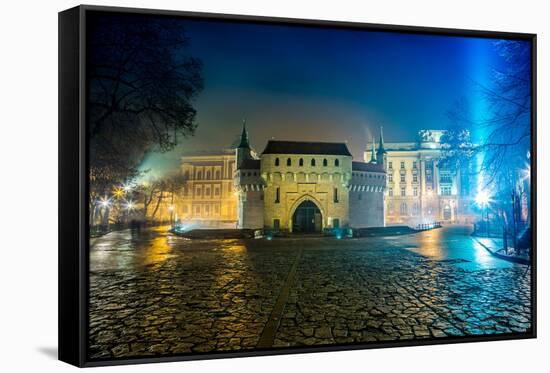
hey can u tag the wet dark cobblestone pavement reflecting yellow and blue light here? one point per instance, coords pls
(156, 294)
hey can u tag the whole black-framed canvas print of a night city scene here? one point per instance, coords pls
(235, 186)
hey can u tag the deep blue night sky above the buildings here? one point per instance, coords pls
(297, 83)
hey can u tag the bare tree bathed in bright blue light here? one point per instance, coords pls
(501, 154)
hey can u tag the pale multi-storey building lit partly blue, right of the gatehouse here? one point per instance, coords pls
(419, 188)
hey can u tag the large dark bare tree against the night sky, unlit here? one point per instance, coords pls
(141, 87)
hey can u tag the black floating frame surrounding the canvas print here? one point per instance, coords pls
(73, 186)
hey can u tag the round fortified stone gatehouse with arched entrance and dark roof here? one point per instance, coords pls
(306, 187)
